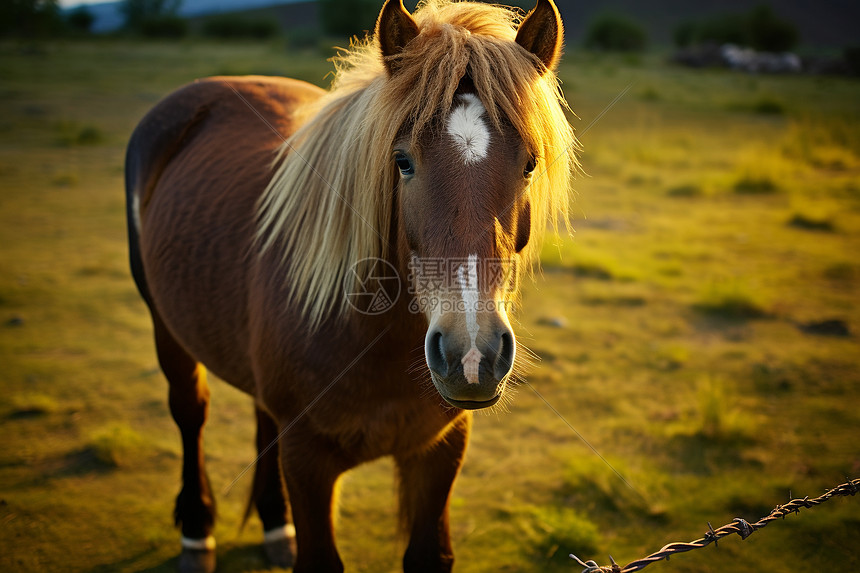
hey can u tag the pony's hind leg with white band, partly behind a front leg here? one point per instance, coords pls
(269, 495)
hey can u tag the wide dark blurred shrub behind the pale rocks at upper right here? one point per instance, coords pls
(761, 28)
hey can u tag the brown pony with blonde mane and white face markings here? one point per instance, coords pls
(303, 244)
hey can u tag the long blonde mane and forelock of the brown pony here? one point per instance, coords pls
(329, 203)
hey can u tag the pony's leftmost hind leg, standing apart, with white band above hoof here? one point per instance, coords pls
(189, 405)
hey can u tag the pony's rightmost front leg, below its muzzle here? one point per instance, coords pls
(426, 478)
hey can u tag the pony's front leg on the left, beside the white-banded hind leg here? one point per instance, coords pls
(312, 465)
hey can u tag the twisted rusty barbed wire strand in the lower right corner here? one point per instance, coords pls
(738, 525)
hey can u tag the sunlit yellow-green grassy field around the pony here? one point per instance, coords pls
(678, 329)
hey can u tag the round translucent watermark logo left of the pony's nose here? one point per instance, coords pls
(372, 286)
